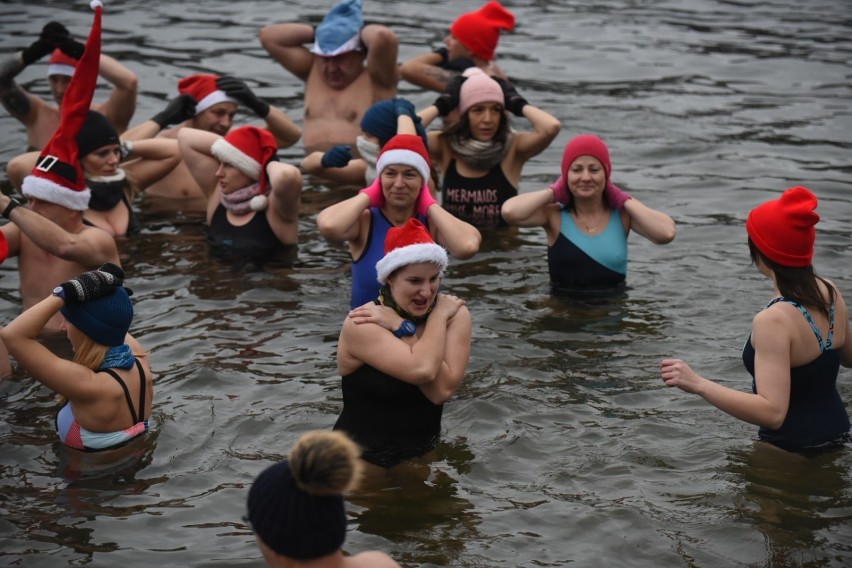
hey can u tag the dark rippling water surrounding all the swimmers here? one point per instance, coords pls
(562, 446)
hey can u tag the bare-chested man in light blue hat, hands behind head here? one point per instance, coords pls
(349, 67)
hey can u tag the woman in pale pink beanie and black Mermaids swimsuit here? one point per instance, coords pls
(480, 156)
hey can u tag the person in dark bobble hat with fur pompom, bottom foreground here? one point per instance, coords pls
(296, 507)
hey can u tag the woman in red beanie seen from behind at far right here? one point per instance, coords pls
(797, 342)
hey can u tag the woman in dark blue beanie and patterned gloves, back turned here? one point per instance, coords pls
(108, 386)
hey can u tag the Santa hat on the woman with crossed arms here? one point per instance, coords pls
(409, 244)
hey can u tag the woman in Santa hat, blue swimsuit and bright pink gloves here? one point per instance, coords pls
(399, 193)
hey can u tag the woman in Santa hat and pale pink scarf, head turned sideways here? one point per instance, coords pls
(252, 199)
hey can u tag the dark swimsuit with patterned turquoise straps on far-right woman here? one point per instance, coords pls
(816, 416)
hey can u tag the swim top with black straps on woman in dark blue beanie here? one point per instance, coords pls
(75, 436)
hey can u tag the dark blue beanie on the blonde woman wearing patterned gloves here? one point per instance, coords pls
(105, 320)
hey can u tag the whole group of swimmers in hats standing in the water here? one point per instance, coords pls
(428, 195)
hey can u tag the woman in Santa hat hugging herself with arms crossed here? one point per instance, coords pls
(403, 355)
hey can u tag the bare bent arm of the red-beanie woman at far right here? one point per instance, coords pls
(772, 376)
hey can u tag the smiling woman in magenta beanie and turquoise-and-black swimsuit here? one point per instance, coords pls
(587, 219)
